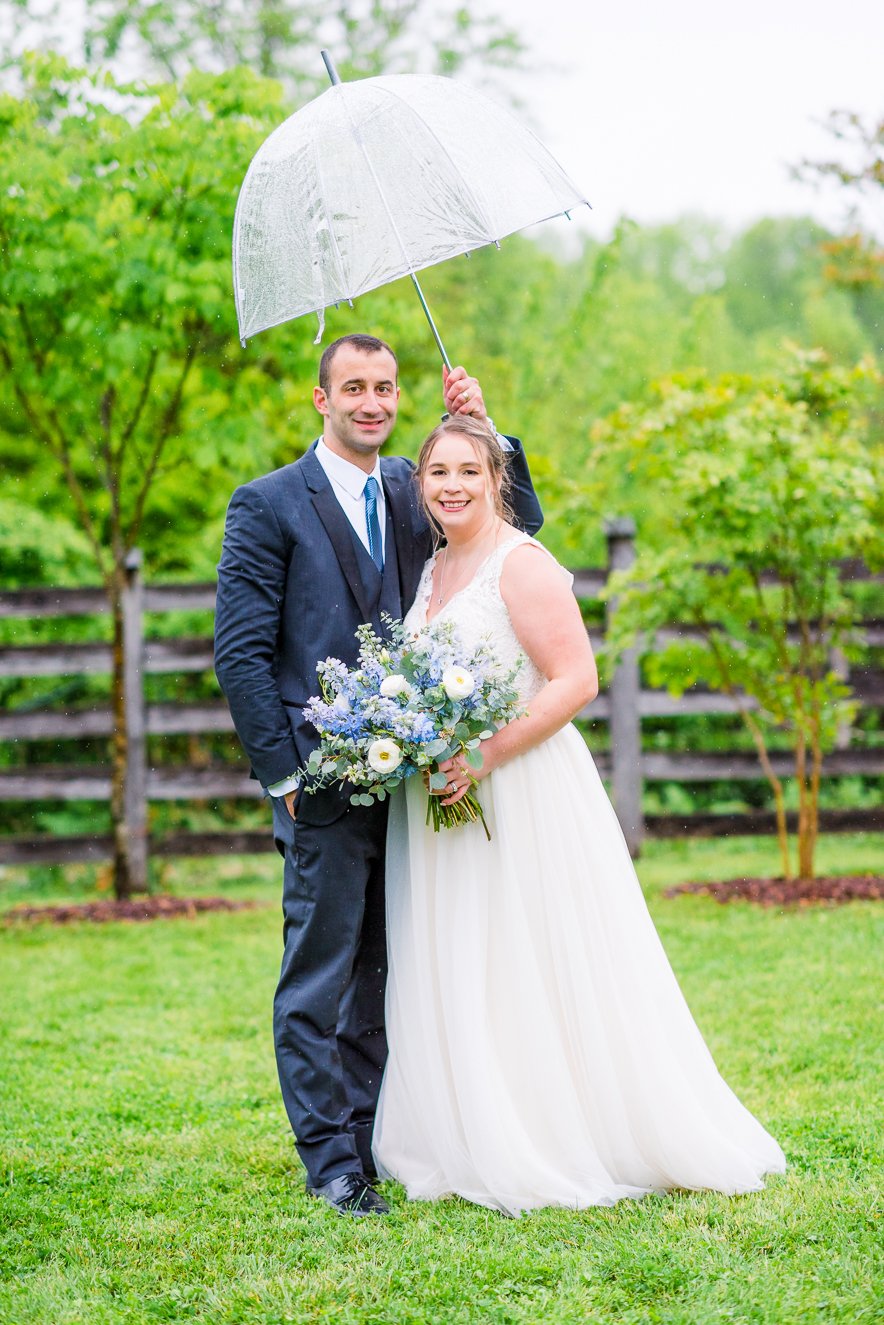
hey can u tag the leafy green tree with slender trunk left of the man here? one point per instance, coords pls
(120, 368)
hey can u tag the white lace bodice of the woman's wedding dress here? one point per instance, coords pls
(480, 614)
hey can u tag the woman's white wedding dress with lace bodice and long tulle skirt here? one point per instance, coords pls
(541, 1053)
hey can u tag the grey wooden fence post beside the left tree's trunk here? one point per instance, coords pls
(136, 798)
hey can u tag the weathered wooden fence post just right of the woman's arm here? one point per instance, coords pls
(625, 723)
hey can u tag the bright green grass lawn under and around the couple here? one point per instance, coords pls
(148, 1175)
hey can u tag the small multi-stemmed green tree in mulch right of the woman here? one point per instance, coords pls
(764, 486)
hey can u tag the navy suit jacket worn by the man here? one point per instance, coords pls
(294, 585)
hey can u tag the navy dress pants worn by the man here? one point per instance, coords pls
(329, 1006)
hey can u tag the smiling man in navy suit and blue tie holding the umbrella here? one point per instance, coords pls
(311, 552)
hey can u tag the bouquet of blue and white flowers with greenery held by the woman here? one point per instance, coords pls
(410, 704)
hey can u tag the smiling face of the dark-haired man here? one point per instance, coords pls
(360, 407)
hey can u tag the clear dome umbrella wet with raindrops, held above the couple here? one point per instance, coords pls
(374, 181)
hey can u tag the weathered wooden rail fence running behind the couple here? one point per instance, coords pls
(624, 707)
